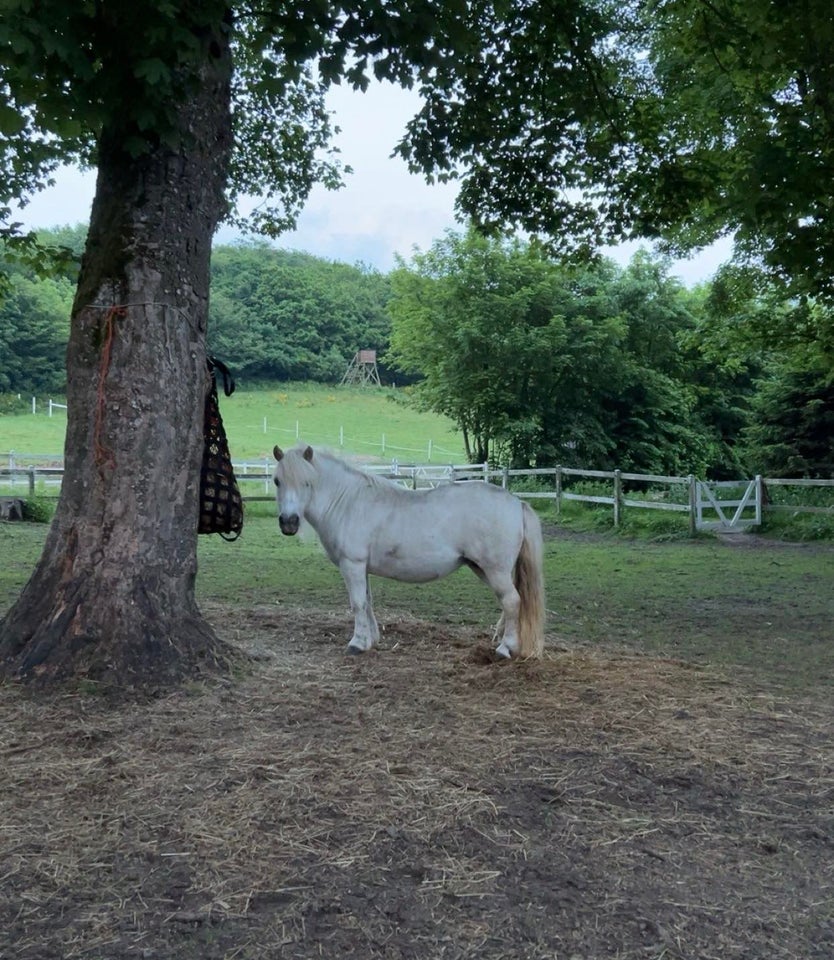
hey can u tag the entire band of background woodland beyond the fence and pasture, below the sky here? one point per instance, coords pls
(537, 361)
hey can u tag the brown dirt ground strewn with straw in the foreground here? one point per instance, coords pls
(418, 802)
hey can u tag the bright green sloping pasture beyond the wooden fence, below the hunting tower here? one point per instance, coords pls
(372, 422)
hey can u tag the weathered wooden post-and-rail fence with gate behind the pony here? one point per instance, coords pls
(724, 505)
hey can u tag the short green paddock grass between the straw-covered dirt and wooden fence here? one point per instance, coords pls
(761, 611)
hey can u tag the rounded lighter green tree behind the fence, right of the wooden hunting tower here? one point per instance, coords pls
(495, 330)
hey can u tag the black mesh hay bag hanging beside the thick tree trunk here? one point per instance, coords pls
(221, 506)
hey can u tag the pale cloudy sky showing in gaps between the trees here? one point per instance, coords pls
(383, 210)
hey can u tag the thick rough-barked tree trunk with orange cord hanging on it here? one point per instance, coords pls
(112, 597)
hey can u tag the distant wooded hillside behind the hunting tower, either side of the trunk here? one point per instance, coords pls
(275, 315)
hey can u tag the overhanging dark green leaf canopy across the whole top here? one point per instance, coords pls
(582, 121)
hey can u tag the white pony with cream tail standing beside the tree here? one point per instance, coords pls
(368, 524)
